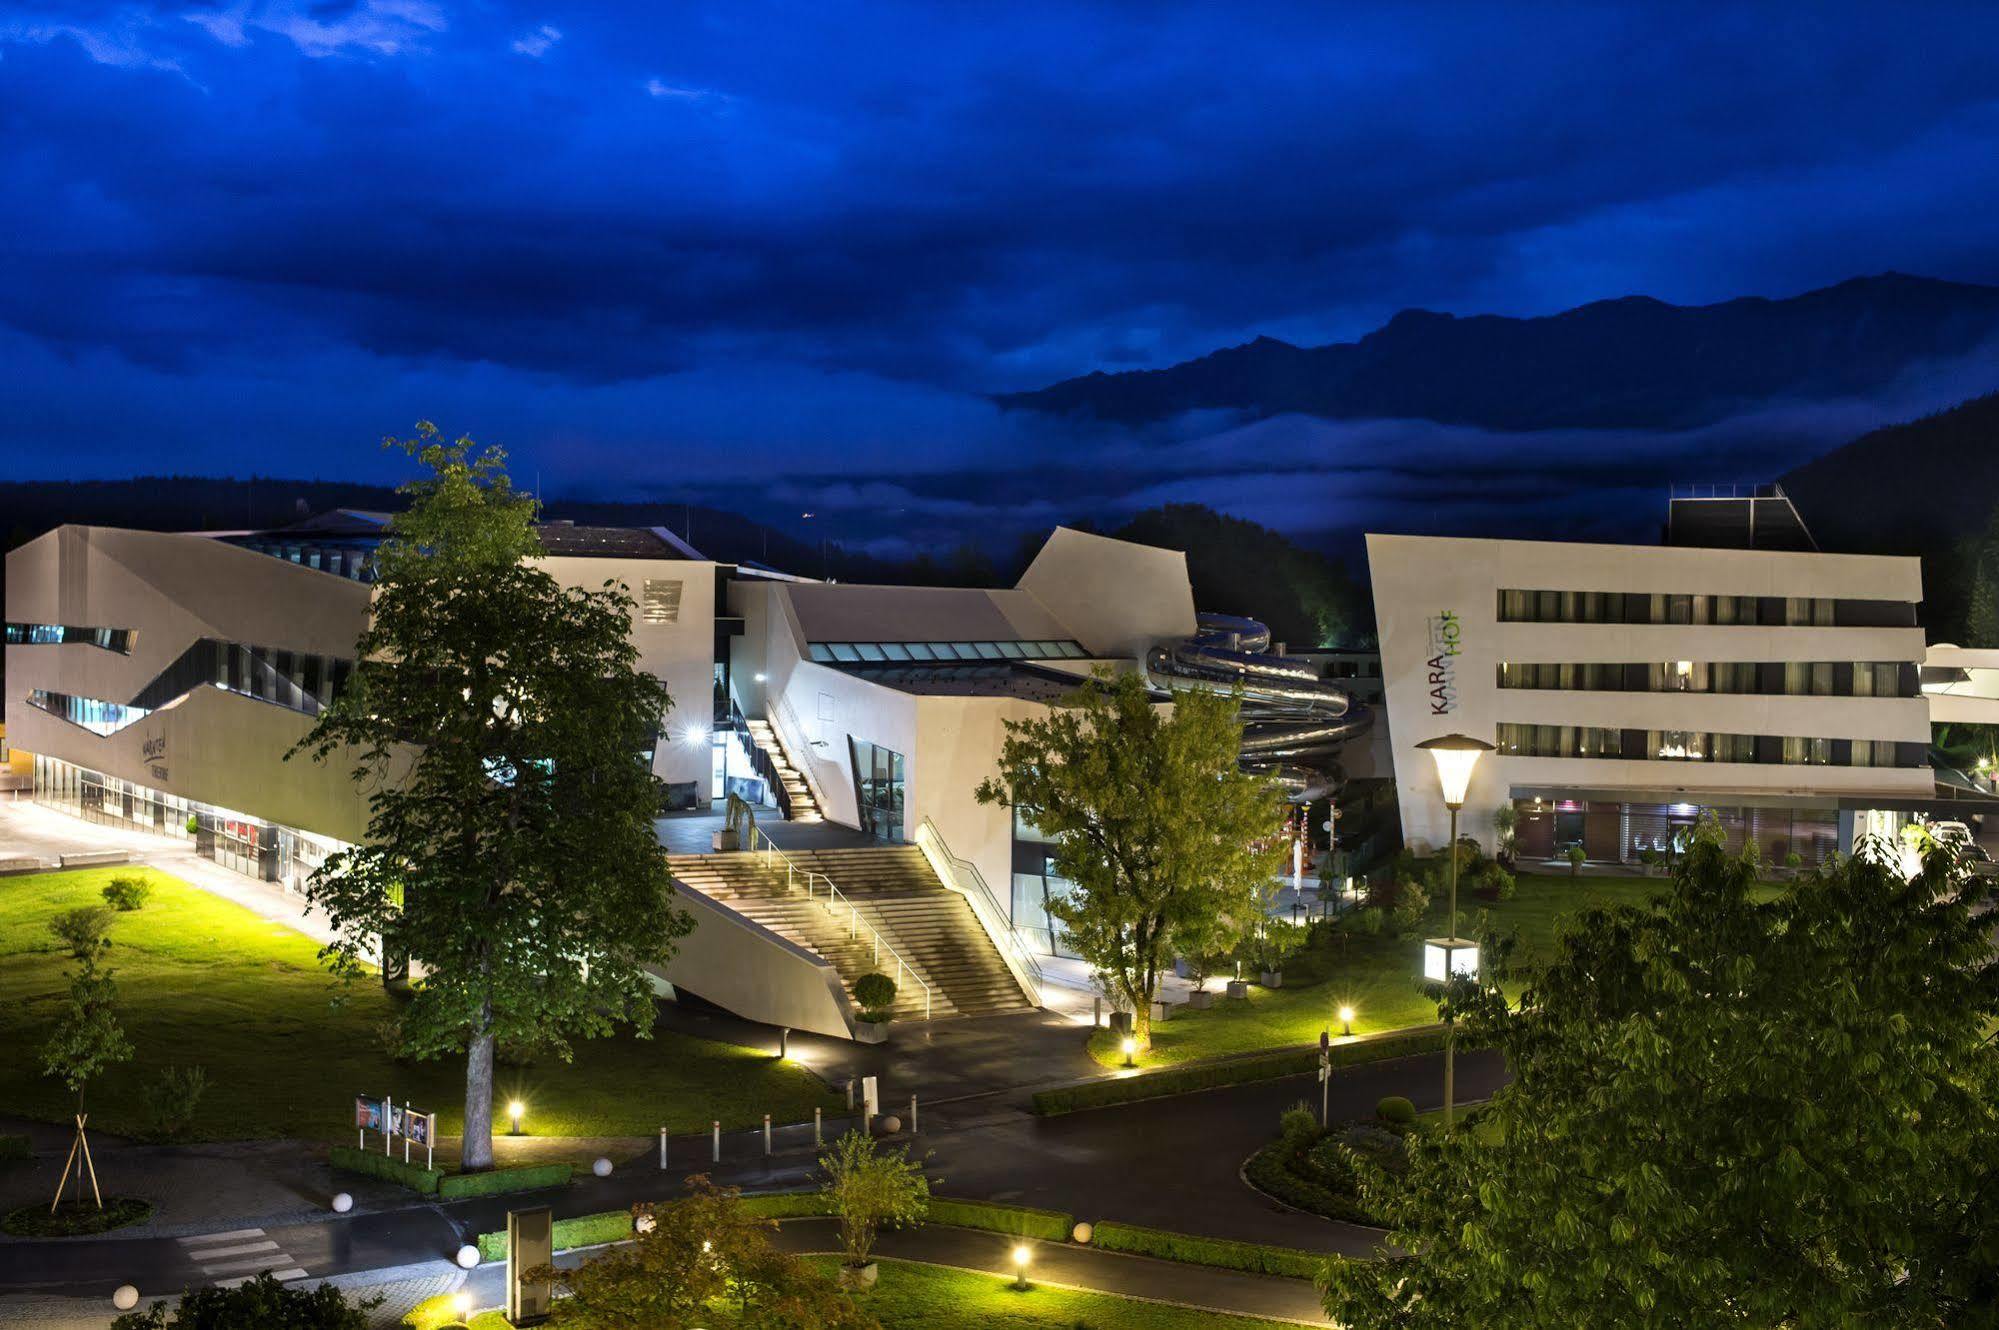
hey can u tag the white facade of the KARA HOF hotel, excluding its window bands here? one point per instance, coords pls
(1418, 579)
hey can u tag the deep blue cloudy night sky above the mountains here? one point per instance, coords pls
(657, 249)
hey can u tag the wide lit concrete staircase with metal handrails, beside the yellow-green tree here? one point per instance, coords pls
(895, 893)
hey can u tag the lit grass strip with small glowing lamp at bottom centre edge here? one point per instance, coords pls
(917, 1297)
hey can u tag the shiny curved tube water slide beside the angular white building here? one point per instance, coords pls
(1294, 721)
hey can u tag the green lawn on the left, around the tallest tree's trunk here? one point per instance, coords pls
(287, 1047)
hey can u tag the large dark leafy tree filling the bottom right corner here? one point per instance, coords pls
(1726, 1111)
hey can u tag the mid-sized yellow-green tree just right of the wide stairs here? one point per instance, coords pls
(1154, 823)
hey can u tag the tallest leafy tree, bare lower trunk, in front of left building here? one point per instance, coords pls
(497, 721)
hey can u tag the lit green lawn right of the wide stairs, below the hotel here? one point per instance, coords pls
(1378, 977)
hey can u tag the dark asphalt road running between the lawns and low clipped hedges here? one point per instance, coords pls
(1166, 1163)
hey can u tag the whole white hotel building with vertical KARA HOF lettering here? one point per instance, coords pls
(1630, 689)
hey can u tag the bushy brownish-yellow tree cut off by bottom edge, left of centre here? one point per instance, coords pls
(701, 1261)
